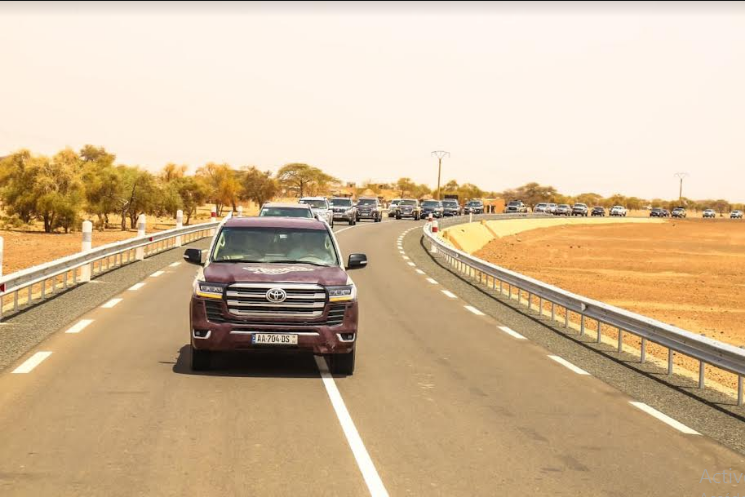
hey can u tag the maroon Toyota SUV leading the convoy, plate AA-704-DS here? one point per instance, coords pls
(273, 282)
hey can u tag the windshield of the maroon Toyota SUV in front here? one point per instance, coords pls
(275, 245)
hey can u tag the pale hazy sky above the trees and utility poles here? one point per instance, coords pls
(604, 98)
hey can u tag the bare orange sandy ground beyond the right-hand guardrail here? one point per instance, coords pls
(689, 273)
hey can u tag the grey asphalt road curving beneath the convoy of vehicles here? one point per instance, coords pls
(443, 402)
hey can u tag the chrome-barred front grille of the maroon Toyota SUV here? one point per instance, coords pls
(304, 301)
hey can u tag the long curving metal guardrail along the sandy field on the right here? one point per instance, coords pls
(531, 291)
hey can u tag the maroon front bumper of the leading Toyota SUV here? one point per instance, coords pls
(236, 334)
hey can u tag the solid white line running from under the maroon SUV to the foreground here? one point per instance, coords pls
(369, 473)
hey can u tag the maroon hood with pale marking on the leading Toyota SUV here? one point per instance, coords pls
(226, 272)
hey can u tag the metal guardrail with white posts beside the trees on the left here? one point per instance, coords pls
(45, 279)
